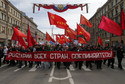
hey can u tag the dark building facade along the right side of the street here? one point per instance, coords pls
(112, 10)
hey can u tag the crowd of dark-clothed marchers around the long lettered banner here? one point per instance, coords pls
(118, 51)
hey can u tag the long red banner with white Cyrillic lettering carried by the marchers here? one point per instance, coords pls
(60, 56)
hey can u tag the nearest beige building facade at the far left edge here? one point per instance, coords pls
(9, 16)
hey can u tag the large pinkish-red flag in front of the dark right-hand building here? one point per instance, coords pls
(110, 26)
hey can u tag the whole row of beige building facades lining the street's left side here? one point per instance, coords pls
(11, 17)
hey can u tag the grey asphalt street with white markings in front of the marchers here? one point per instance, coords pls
(26, 75)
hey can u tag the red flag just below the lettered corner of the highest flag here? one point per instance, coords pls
(71, 33)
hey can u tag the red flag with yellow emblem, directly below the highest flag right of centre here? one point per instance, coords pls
(82, 31)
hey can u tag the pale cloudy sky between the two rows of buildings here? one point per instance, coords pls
(71, 16)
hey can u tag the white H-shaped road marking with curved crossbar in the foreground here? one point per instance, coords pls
(69, 76)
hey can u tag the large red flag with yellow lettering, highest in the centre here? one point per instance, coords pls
(57, 21)
